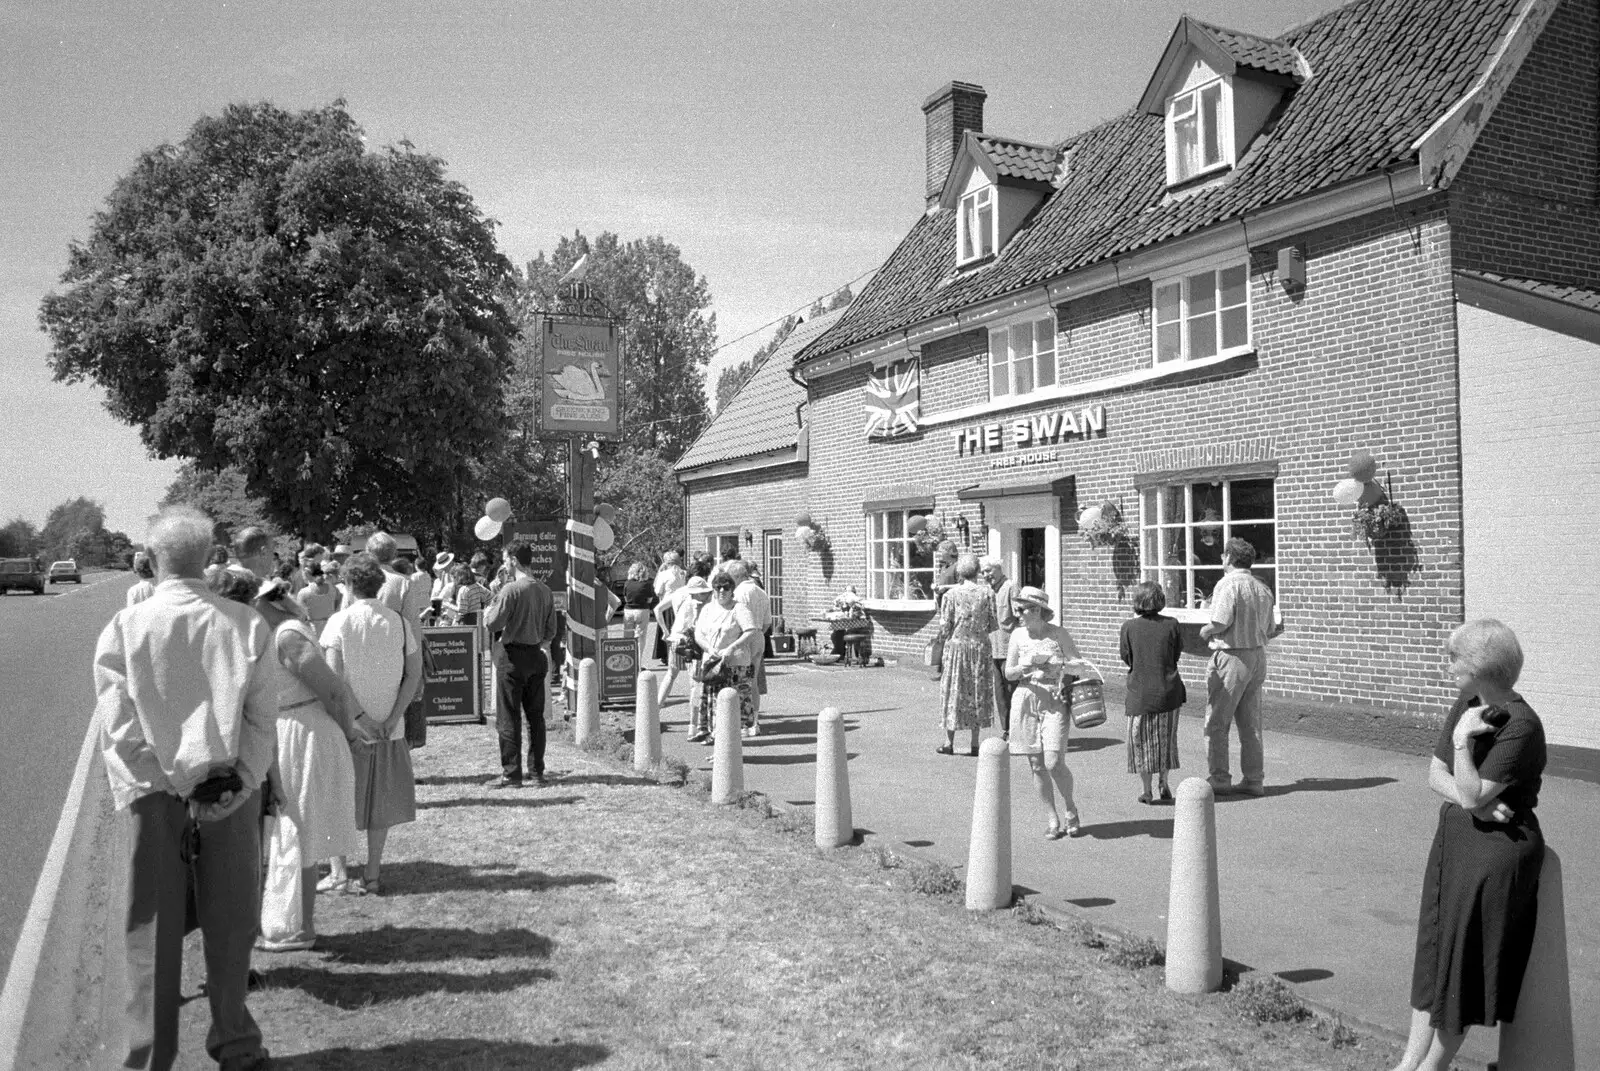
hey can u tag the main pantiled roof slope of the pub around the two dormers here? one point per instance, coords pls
(1385, 71)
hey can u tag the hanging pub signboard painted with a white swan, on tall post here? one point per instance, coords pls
(582, 380)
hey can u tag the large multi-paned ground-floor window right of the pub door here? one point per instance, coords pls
(1185, 526)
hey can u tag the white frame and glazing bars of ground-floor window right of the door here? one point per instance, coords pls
(1153, 532)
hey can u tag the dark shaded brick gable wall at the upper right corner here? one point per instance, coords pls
(1526, 201)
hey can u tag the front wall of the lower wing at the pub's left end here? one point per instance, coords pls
(761, 500)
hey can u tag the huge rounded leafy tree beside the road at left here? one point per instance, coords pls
(271, 297)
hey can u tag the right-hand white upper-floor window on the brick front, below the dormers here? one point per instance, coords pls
(1202, 311)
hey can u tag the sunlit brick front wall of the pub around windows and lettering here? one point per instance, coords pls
(1362, 359)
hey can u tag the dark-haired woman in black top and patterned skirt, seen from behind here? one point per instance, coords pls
(1151, 646)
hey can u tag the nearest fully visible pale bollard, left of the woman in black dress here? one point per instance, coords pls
(1194, 912)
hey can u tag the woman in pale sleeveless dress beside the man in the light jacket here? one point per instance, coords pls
(314, 780)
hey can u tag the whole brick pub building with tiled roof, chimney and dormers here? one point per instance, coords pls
(1378, 231)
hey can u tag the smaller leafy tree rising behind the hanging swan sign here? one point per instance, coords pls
(668, 335)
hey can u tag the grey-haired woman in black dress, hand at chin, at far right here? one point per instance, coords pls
(1481, 891)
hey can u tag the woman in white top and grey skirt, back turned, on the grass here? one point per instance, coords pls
(380, 657)
